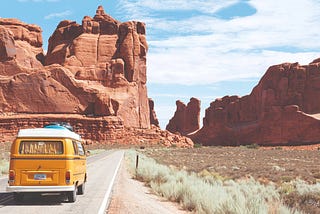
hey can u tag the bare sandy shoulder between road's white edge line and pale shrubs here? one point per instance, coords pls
(132, 197)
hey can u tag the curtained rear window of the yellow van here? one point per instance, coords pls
(41, 147)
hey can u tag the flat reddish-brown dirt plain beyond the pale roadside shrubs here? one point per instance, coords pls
(277, 164)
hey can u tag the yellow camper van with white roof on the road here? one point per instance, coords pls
(47, 160)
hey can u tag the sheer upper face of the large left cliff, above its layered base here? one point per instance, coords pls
(95, 69)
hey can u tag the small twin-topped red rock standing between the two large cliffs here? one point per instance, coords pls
(186, 119)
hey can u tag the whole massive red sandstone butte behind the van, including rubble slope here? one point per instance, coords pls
(93, 76)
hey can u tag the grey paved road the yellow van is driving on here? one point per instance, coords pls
(101, 170)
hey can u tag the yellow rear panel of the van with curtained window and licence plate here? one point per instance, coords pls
(40, 162)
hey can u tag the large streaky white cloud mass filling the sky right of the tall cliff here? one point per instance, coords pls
(203, 49)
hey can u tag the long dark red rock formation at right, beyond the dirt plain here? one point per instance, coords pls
(283, 109)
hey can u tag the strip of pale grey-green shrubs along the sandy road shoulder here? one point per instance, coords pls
(202, 195)
